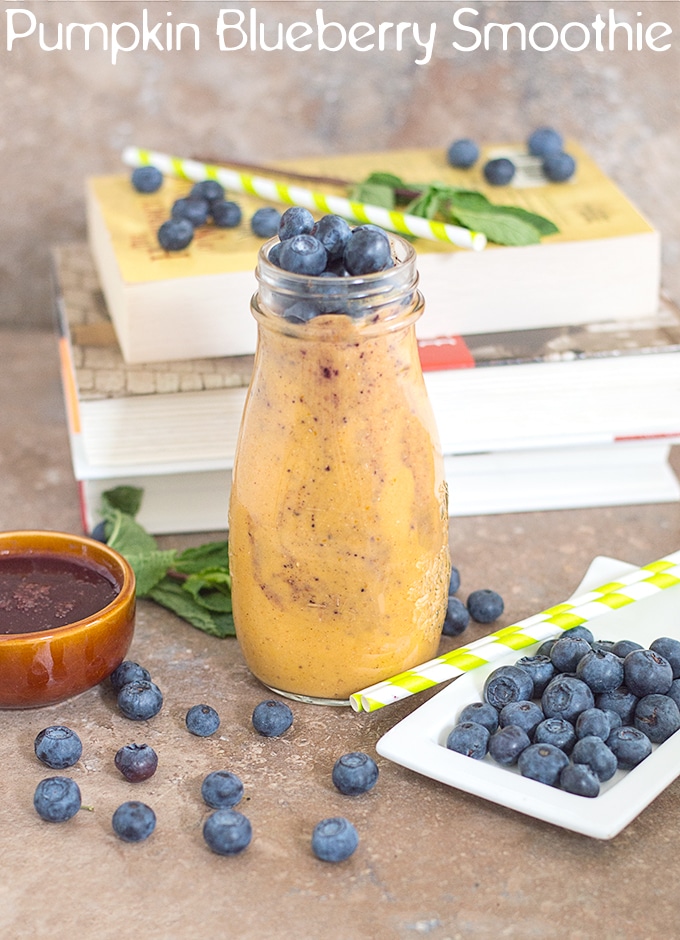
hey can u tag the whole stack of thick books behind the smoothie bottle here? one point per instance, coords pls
(534, 411)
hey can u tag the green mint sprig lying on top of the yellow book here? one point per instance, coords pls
(504, 225)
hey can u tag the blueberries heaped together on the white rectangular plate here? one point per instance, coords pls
(577, 711)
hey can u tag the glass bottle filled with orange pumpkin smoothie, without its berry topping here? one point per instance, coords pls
(338, 522)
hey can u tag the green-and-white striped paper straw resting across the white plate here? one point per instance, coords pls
(638, 584)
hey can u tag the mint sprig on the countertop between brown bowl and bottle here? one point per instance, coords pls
(195, 584)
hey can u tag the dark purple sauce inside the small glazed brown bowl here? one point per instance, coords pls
(41, 592)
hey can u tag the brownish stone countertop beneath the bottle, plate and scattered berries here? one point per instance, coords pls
(432, 861)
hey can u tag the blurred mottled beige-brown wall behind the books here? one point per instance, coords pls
(64, 115)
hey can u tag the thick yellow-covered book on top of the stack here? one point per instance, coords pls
(605, 259)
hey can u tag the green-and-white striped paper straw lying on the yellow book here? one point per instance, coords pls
(278, 191)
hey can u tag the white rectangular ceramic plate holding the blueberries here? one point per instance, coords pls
(419, 741)
